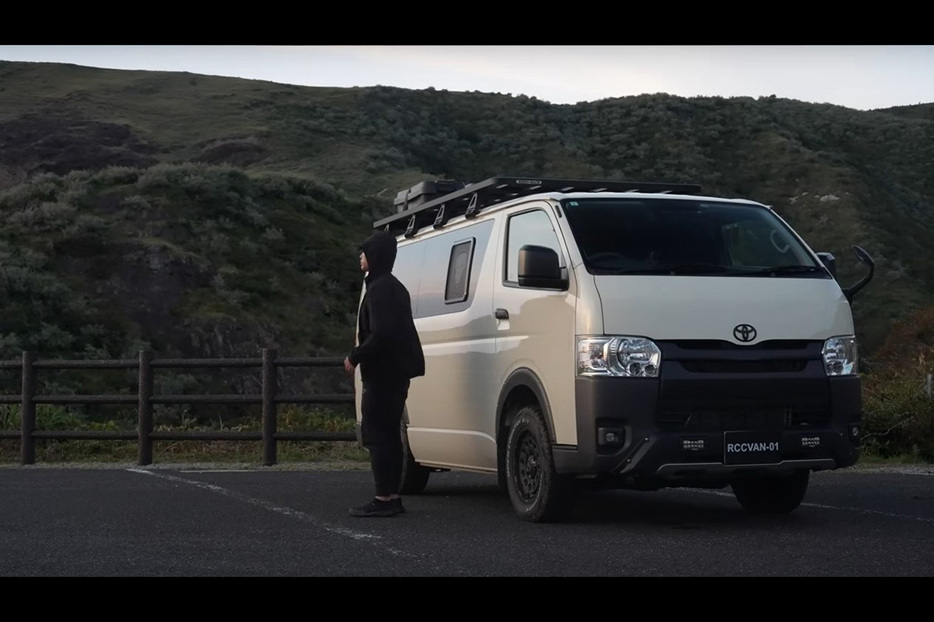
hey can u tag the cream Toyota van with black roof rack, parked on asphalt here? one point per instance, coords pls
(584, 335)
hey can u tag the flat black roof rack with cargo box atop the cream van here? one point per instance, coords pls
(469, 199)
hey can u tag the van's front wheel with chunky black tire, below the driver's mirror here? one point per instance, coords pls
(538, 493)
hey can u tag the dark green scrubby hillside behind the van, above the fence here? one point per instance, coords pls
(209, 216)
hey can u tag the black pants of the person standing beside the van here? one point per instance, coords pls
(381, 410)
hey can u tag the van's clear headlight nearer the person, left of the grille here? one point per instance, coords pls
(618, 356)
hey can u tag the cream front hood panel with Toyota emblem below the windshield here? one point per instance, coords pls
(712, 307)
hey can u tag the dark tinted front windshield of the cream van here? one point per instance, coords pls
(684, 236)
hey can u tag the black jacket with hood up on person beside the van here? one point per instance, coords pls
(388, 350)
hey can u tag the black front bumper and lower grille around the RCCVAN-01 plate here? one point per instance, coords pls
(676, 429)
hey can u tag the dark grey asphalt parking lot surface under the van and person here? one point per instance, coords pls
(204, 521)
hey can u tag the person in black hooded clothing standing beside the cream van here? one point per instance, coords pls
(389, 353)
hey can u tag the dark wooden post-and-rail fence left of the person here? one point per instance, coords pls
(144, 399)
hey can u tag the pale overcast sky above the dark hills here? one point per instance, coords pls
(862, 77)
